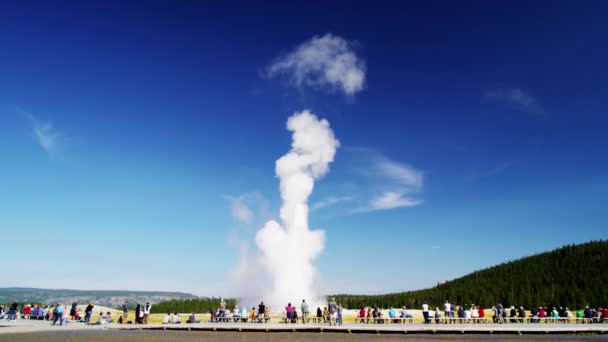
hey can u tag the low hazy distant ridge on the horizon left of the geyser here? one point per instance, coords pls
(109, 298)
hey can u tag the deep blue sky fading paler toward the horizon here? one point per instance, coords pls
(139, 140)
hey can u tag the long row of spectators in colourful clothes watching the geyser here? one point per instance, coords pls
(333, 314)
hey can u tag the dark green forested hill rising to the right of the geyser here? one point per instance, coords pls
(573, 276)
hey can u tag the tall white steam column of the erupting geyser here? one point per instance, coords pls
(290, 247)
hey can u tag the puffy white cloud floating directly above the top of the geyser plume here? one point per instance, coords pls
(326, 61)
